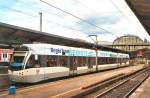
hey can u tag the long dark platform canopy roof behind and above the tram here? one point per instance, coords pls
(14, 35)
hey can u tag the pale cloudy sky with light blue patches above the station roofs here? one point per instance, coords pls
(108, 19)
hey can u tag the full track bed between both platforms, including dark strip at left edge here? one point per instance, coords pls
(121, 87)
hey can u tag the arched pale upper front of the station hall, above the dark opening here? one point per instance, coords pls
(130, 43)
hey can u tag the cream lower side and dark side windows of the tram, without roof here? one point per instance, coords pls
(58, 66)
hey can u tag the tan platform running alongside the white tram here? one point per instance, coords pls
(57, 89)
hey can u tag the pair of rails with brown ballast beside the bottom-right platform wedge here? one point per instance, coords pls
(124, 89)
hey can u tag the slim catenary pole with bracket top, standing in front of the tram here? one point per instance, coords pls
(96, 43)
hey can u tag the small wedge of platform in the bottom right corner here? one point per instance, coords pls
(142, 91)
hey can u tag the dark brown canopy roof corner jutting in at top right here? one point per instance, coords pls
(141, 8)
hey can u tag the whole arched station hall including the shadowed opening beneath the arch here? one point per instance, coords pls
(138, 49)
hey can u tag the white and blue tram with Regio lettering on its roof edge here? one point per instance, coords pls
(37, 62)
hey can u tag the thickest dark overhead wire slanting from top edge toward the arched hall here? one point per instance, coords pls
(78, 17)
